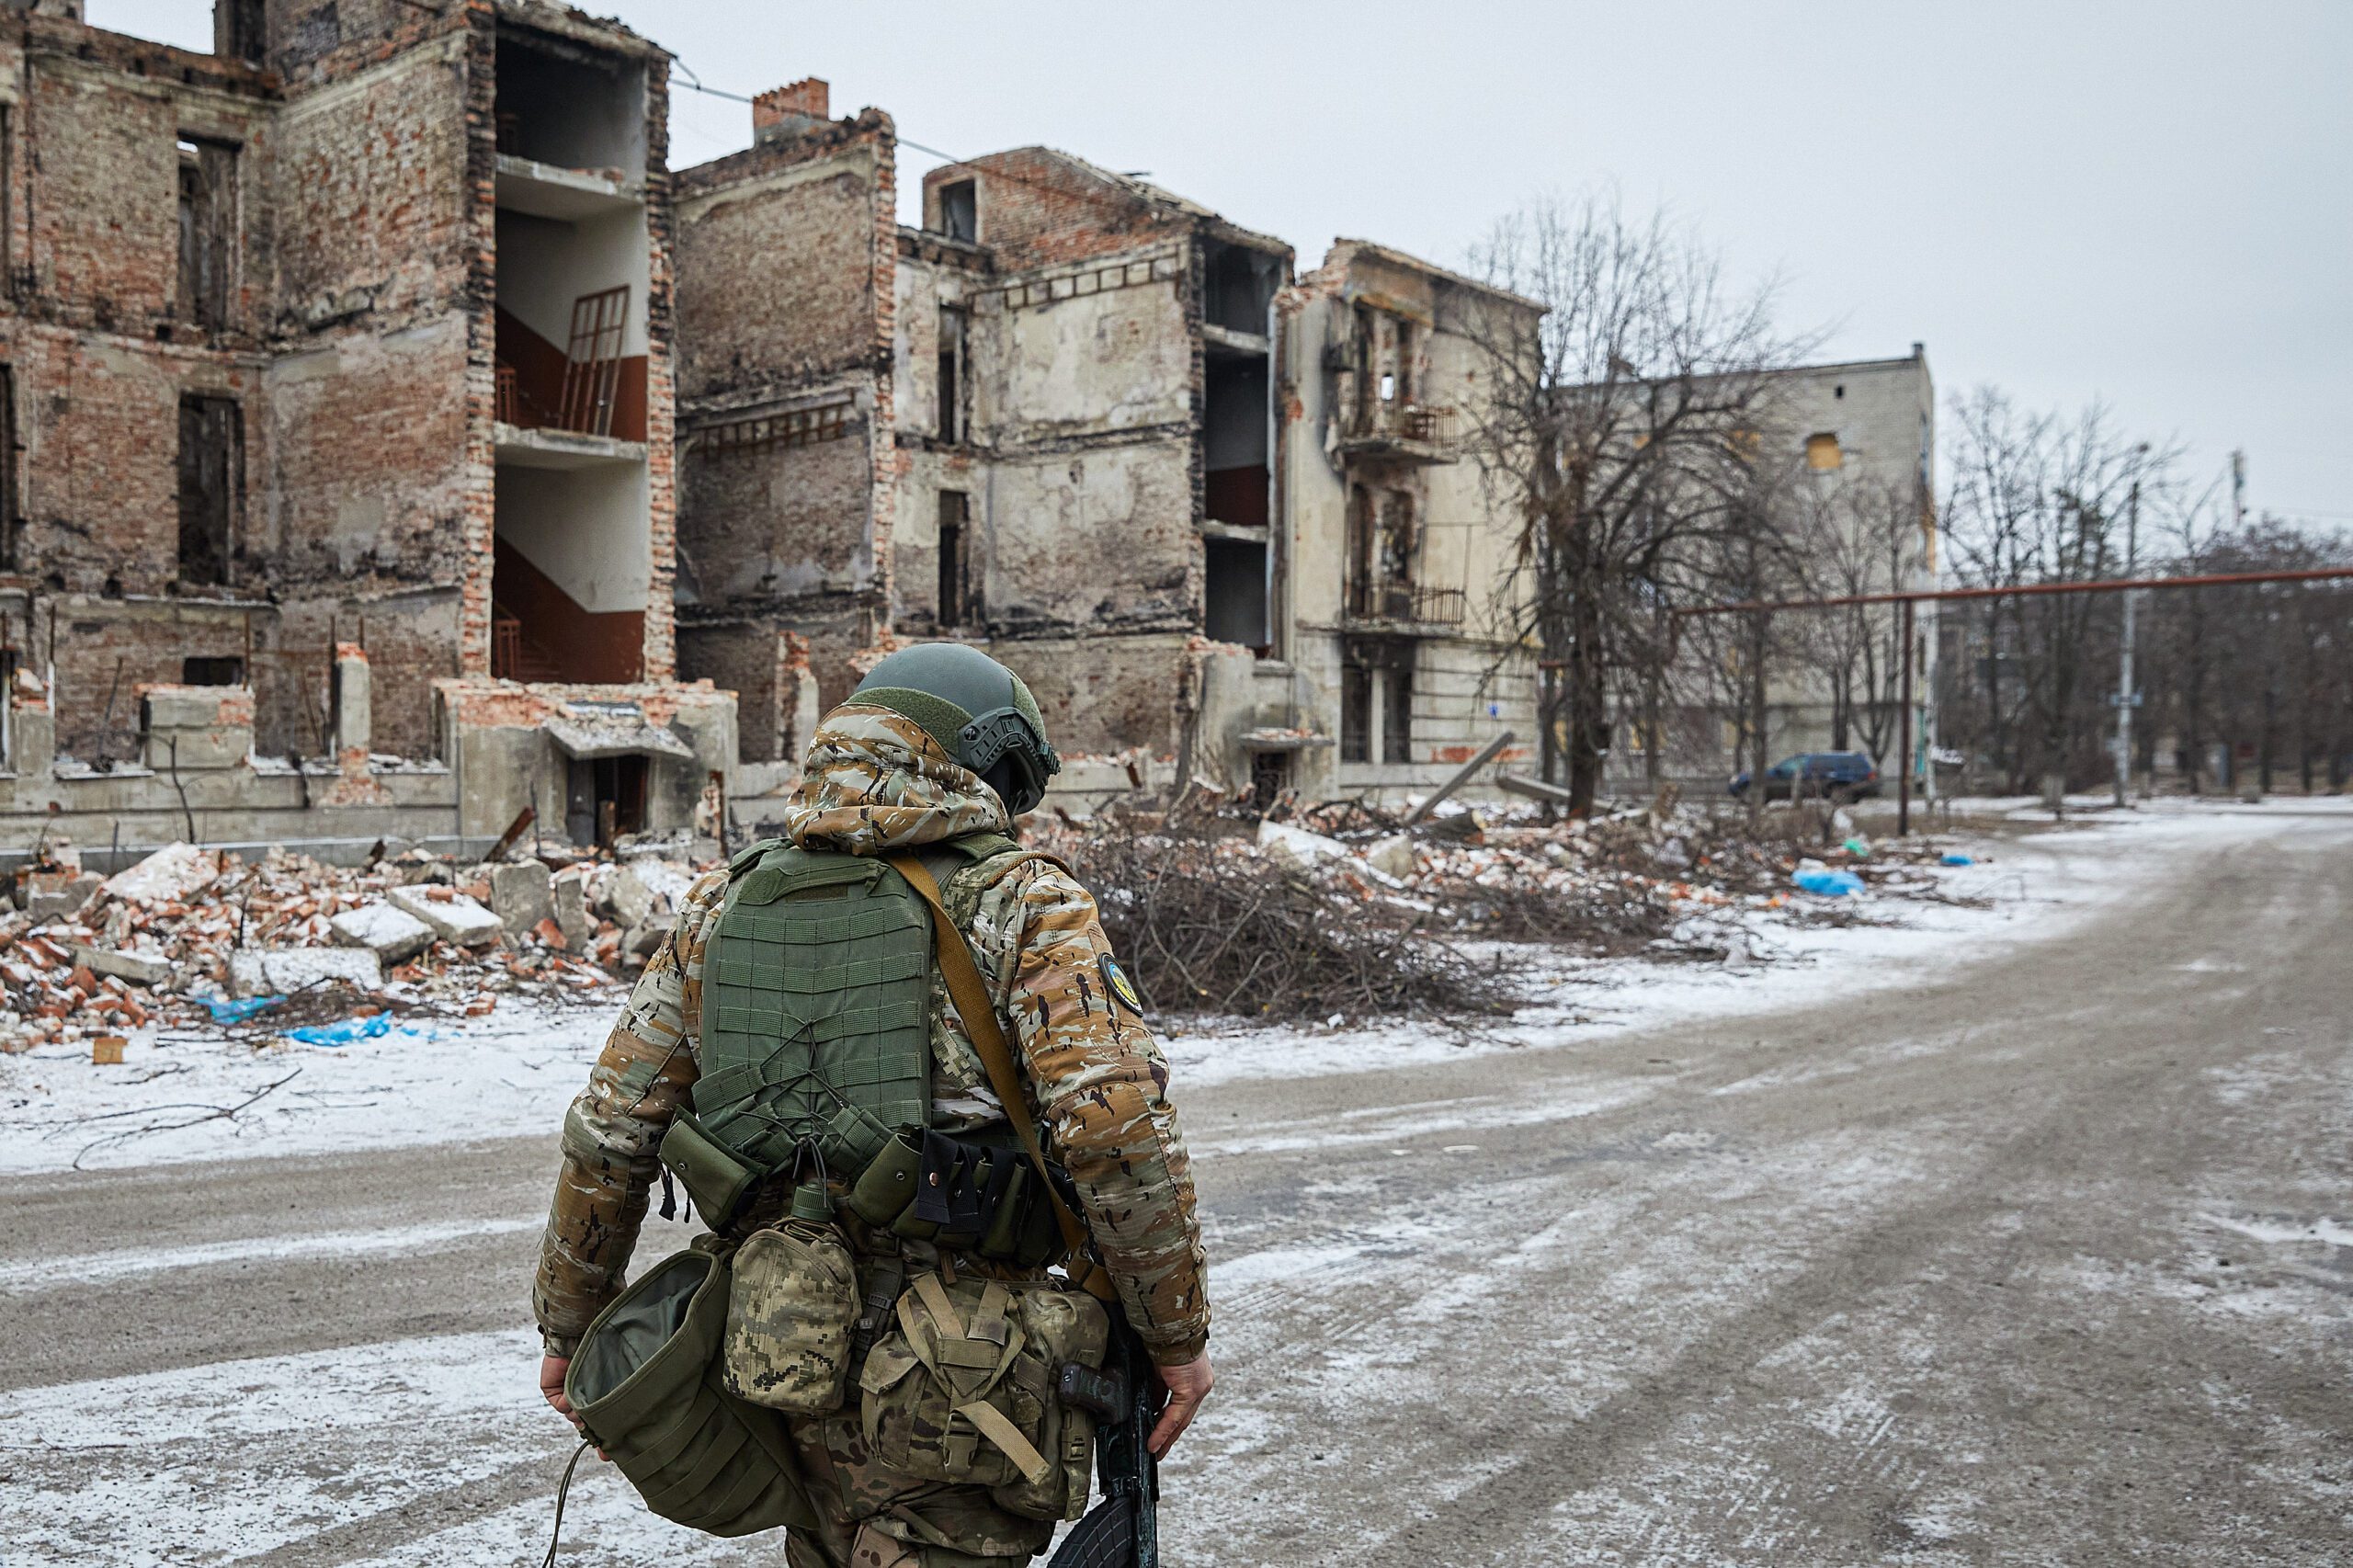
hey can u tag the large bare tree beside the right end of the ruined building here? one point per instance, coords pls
(1622, 430)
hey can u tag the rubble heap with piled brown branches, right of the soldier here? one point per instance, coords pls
(1373, 917)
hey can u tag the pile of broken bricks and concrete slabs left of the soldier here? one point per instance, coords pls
(204, 936)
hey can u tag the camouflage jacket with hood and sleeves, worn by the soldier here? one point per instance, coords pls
(874, 783)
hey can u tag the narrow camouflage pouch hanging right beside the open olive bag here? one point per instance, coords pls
(789, 1317)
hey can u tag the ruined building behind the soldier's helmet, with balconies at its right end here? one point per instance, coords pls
(1218, 519)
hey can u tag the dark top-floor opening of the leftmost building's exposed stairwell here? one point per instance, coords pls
(571, 105)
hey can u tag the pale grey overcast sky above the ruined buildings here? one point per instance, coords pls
(2147, 204)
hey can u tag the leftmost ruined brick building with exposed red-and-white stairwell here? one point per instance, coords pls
(338, 378)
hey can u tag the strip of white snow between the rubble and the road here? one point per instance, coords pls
(189, 1098)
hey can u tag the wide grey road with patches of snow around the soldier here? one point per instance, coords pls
(2041, 1254)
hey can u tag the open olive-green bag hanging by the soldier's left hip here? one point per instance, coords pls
(648, 1390)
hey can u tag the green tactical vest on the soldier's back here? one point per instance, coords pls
(818, 1014)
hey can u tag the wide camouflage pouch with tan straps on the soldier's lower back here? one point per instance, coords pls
(961, 1390)
